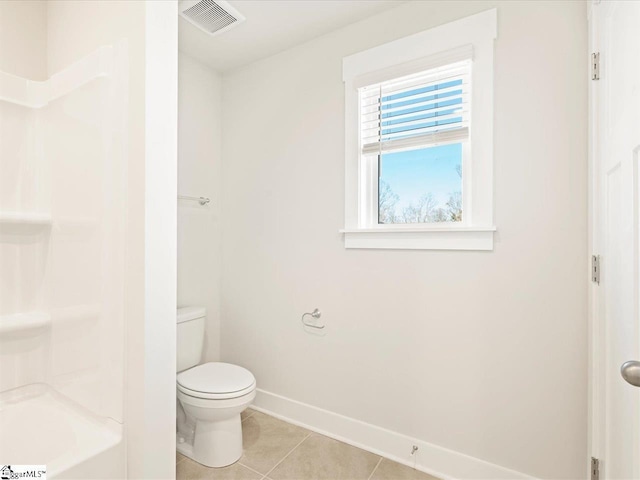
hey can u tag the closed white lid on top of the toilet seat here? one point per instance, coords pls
(216, 377)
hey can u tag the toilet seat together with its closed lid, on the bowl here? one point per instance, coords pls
(216, 381)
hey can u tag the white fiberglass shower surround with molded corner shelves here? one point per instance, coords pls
(63, 183)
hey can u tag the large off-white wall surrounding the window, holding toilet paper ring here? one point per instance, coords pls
(480, 352)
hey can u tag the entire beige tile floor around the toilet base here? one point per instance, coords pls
(277, 450)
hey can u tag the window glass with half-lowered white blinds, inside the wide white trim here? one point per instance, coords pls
(414, 131)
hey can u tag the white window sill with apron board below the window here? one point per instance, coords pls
(421, 238)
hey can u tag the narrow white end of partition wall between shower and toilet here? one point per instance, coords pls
(157, 457)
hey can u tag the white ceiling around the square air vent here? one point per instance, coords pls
(273, 26)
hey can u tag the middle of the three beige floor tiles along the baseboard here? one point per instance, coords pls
(320, 457)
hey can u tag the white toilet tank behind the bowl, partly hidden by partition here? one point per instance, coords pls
(190, 335)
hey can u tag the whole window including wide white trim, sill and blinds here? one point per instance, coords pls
(419, 140)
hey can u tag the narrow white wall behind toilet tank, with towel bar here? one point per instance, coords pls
(199, 174)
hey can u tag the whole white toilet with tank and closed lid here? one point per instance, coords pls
(211, 397)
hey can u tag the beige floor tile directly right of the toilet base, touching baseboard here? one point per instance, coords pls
(267, 440)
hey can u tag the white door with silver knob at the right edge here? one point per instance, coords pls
(615, 150)
